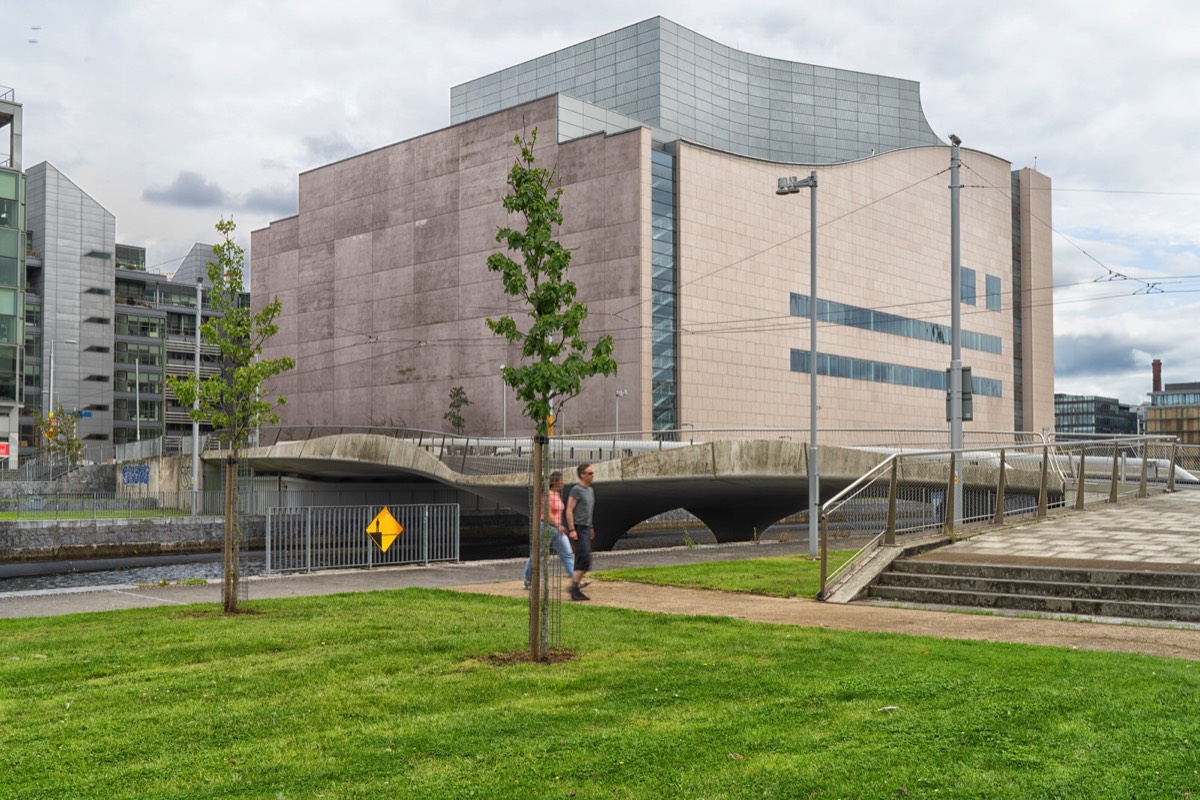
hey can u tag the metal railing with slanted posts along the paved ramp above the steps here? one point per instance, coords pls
(913, 494)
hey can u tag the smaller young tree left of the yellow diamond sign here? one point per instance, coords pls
(236, 401)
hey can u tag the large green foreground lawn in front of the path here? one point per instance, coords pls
(397, 695)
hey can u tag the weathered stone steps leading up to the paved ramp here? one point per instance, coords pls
(1058, 591)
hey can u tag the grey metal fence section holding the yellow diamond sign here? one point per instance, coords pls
(329, 538)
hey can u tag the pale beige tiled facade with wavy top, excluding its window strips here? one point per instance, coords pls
(883, 244)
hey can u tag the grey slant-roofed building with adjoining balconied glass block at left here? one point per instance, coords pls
(103, 334)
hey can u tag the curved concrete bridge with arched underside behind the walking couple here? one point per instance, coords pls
(735, 488)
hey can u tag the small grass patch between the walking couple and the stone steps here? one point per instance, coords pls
(784, 576)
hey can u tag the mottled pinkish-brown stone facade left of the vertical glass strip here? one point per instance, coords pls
(385, 284)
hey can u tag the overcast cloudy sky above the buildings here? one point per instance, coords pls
(172, 113)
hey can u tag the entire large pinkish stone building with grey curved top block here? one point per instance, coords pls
(669, 147)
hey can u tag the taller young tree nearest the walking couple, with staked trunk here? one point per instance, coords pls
(555, 354)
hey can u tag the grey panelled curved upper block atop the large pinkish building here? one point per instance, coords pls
(677, 81)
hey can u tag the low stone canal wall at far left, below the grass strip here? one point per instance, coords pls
(80, 539)
